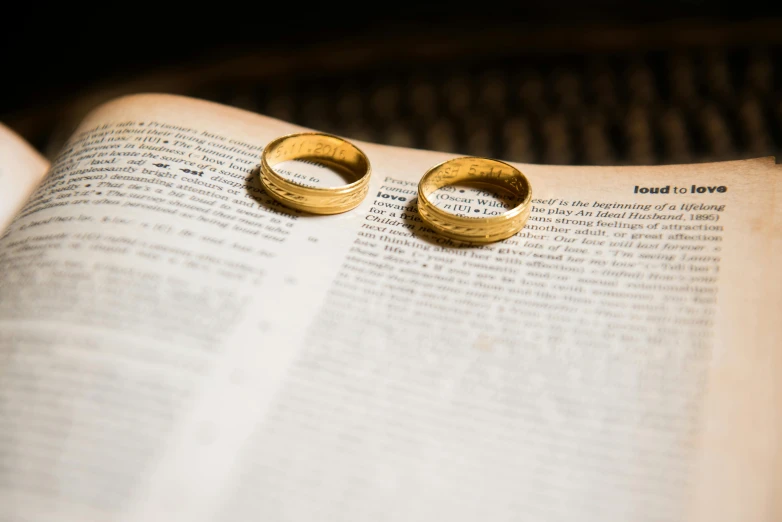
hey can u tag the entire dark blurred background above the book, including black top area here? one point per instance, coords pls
(559, 82)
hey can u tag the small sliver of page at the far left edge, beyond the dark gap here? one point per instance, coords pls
(21, 169)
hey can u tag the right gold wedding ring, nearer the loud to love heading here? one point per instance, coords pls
(483, 172)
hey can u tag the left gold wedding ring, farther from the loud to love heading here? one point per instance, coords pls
(323, 149)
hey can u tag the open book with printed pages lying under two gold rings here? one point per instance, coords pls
(174, 345)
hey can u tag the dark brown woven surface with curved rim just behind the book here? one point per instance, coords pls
(599, 94)
